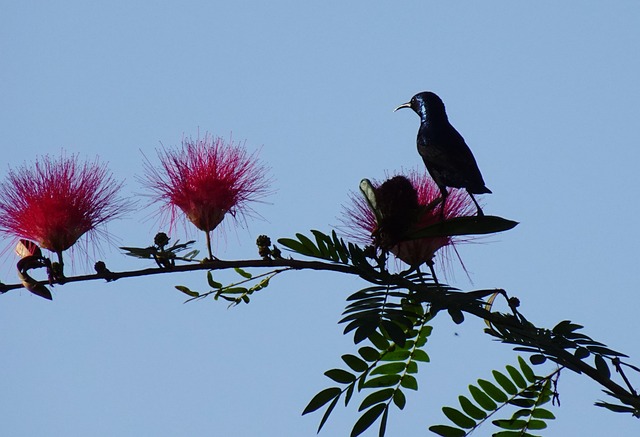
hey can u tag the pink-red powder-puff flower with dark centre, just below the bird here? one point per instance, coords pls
(361, 224)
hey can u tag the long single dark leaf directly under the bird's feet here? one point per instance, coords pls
(486, 224)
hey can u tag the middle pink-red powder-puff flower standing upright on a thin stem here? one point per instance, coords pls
(205, 180)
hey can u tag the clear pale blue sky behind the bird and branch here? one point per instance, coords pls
(546, 95)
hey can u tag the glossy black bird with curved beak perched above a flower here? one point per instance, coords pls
(445, 153)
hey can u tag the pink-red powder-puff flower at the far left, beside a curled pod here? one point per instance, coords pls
(57, 201)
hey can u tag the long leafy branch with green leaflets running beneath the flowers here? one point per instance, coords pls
(389, 321)
